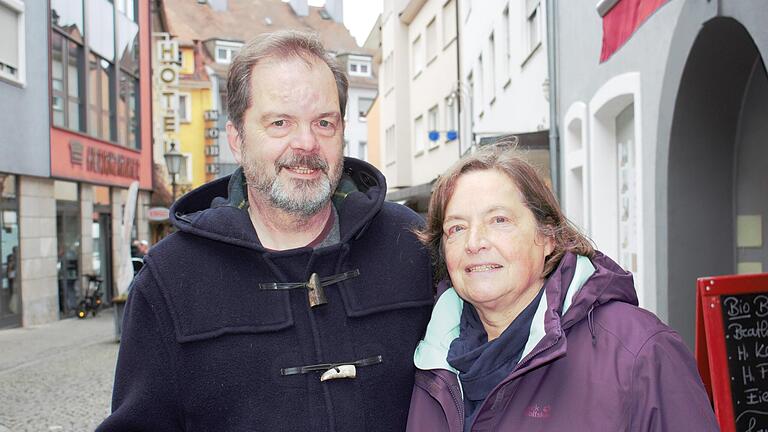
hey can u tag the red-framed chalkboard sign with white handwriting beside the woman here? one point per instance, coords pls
(732, 348)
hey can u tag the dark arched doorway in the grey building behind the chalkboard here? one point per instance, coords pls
(718, 165)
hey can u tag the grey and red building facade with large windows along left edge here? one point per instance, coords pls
(81, 138)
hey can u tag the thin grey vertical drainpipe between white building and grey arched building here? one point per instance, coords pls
(553, 135)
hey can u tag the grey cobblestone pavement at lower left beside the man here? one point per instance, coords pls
(57, 377)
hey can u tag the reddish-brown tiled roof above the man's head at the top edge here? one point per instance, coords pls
(243, 20)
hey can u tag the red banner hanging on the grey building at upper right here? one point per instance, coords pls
(621, 22)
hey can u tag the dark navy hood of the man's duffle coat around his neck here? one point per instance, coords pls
(218, 210)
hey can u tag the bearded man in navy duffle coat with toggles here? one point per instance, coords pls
(292, 296)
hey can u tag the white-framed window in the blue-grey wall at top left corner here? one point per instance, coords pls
(12, 40)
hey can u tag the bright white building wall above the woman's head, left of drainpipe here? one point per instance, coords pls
(514, 89)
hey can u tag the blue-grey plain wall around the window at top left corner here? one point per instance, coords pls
(24, 120)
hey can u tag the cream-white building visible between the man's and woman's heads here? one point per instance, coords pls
(417, 89)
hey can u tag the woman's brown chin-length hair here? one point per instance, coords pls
(536, 195)
